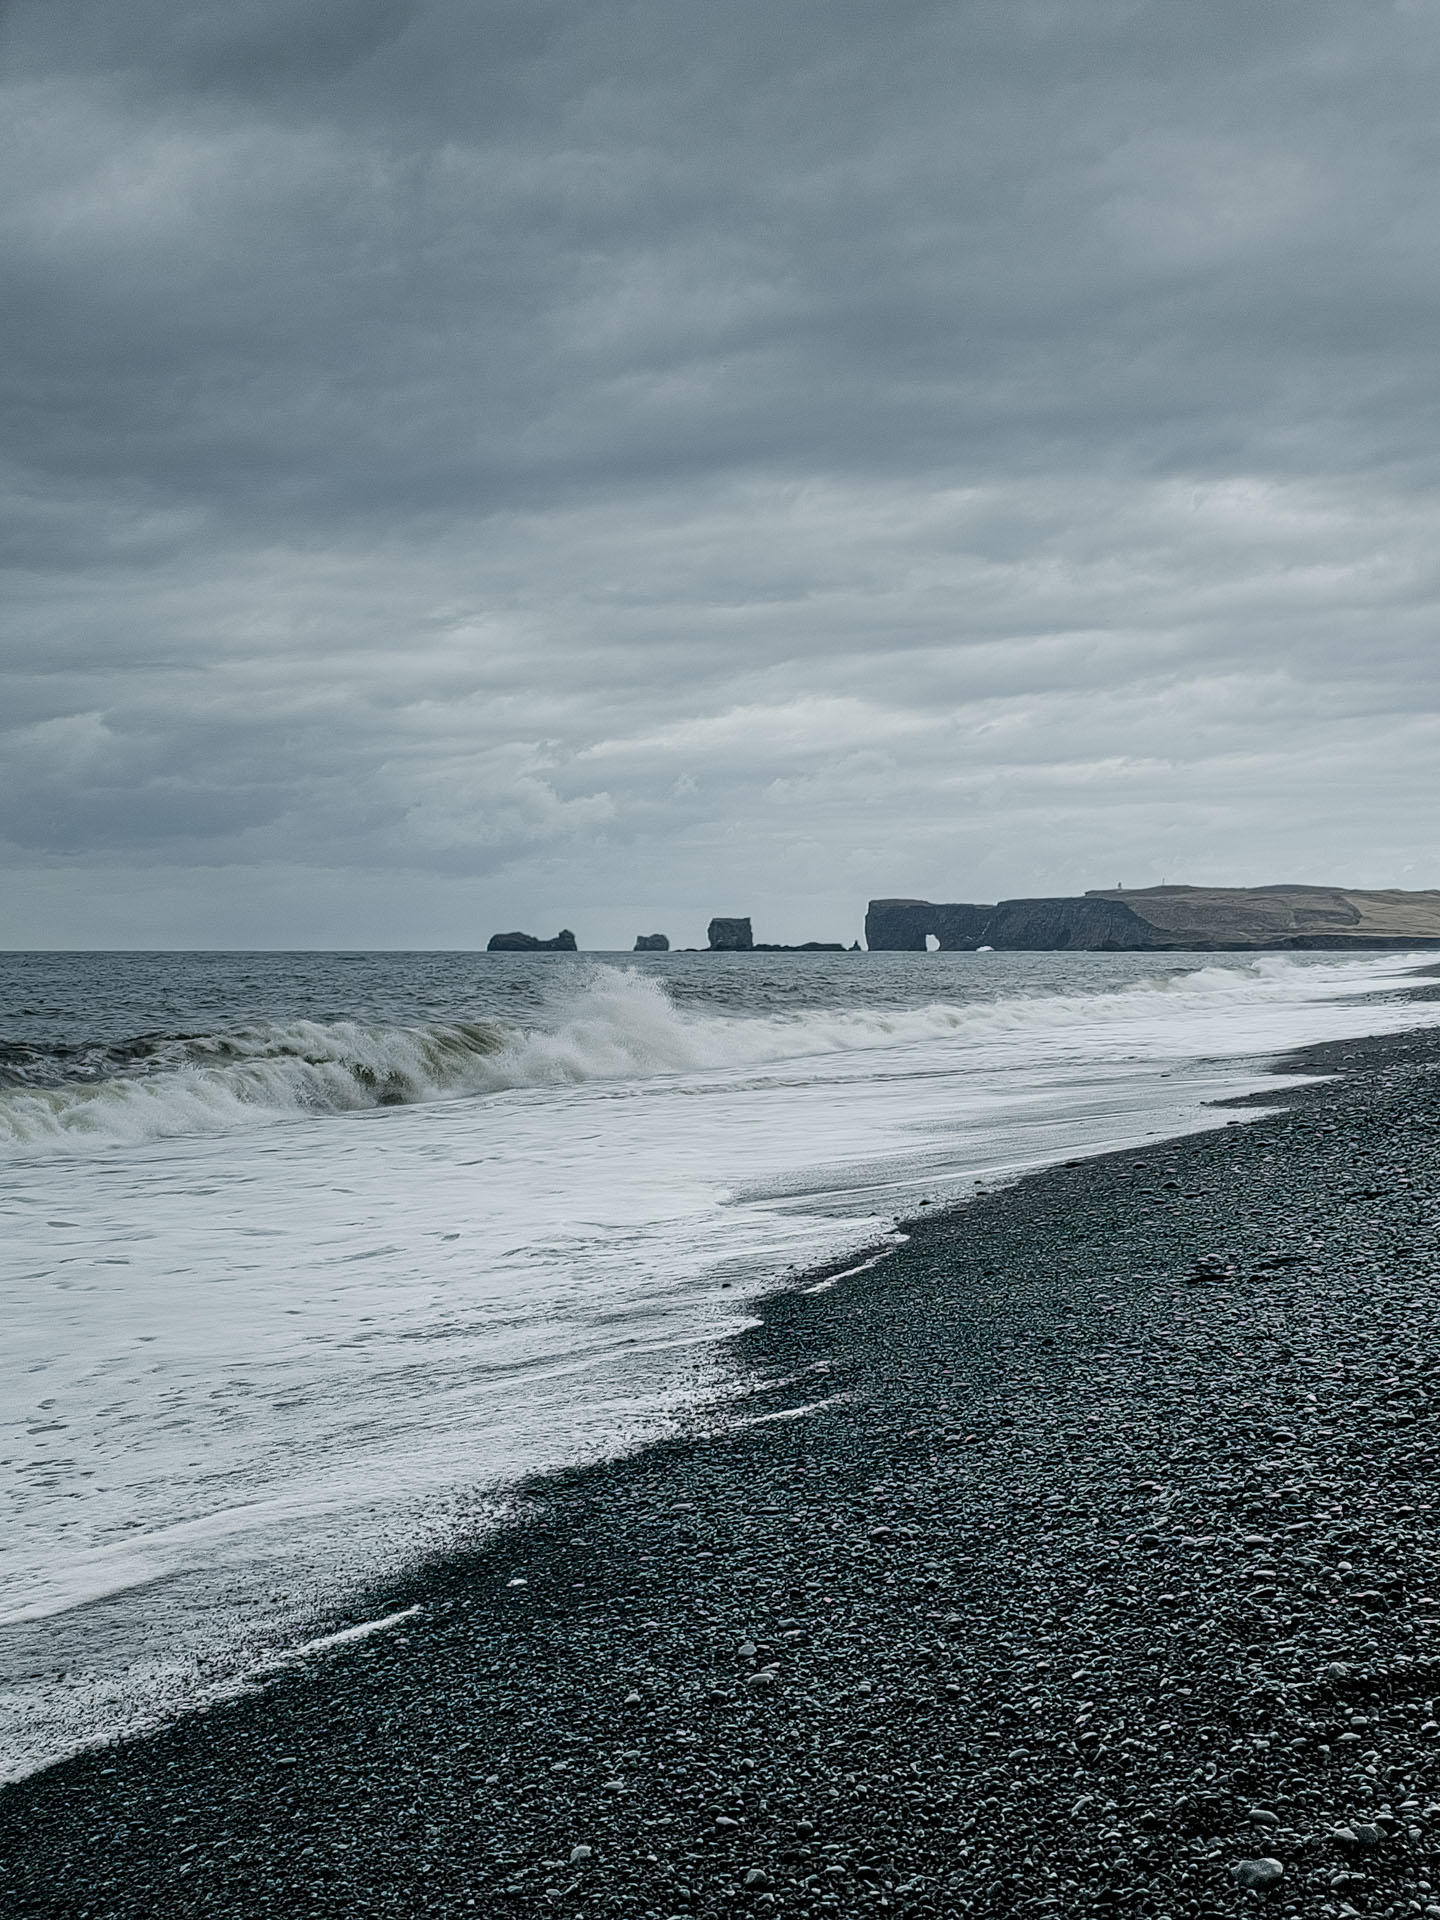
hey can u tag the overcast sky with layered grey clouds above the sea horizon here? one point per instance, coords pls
(481, 466)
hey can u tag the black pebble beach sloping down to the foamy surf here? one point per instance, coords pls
(1107, 1570)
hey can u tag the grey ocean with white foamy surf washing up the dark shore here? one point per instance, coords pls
(310, 1260)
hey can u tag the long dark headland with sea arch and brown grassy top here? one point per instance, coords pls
(1164, 919)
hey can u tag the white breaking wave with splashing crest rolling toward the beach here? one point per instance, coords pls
(613, 1024)
